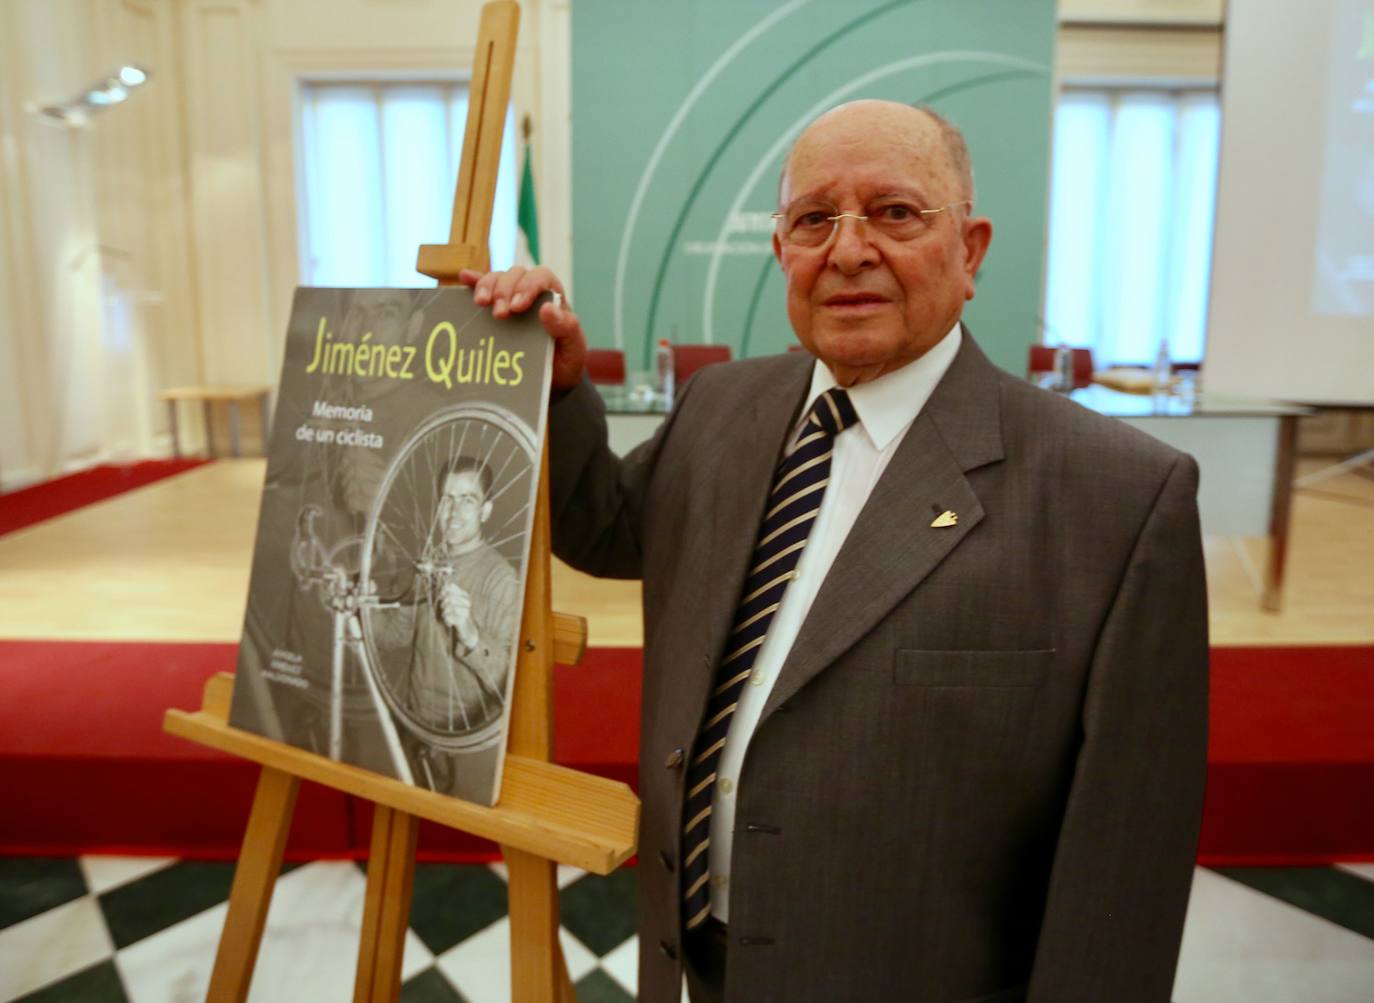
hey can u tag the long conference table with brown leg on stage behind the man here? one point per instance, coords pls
(1247, 453)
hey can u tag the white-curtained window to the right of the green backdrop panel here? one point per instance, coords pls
(1131, 210)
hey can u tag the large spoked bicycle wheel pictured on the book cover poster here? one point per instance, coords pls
(435, 686)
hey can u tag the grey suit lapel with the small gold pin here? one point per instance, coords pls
(892, 546)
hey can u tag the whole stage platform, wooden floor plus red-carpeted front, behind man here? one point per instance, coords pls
(117, 611)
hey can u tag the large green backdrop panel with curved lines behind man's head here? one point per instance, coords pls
(684, 113)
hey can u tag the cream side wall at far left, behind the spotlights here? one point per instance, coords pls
(94, 299)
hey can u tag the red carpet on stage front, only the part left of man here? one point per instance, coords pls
(87, 769)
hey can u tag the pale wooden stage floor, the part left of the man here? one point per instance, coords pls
(171, 563)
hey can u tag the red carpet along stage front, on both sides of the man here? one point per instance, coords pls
(87, 769)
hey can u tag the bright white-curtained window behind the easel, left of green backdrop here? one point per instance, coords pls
(380, 164)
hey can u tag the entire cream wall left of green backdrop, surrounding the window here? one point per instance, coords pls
(157, 247)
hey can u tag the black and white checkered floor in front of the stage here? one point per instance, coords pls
(145, 931)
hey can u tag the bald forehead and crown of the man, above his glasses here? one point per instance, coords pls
(868, 156)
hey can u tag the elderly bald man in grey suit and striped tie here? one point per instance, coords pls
(925, 670)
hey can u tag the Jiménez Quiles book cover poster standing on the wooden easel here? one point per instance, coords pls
(390, 568)
